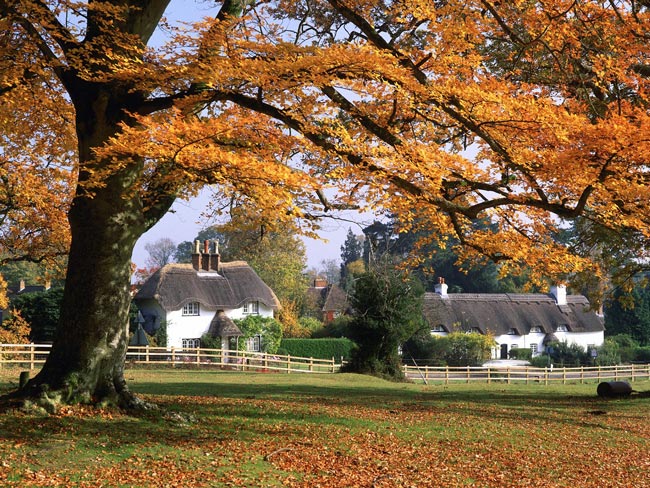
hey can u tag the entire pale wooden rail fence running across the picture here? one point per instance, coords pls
(33, 355)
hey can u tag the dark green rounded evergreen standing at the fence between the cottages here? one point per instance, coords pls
(387, 306)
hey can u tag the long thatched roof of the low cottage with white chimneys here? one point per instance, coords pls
(499, 313)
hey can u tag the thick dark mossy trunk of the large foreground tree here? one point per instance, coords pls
(86, 362)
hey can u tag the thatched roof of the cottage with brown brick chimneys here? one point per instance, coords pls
(175, 285)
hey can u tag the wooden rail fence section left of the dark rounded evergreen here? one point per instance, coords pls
(33, 355)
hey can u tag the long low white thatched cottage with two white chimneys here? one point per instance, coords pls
(516, 320)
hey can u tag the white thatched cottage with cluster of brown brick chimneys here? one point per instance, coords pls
(203, 297)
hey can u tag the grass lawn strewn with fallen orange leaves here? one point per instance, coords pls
(266, 430)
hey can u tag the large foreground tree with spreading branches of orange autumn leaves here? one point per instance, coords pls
(440, 112)
